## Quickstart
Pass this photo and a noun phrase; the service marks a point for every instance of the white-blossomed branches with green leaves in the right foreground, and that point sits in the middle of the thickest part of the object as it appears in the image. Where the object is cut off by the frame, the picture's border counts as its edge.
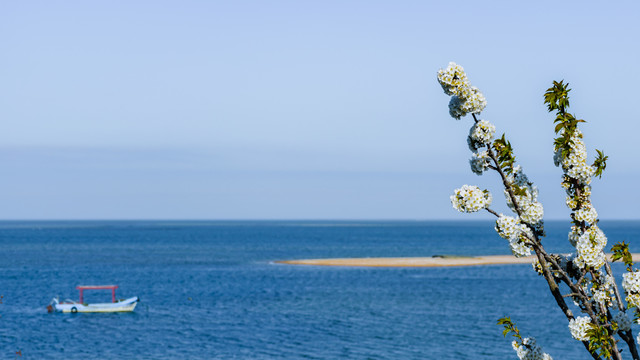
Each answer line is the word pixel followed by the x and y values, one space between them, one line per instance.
pixel 593 289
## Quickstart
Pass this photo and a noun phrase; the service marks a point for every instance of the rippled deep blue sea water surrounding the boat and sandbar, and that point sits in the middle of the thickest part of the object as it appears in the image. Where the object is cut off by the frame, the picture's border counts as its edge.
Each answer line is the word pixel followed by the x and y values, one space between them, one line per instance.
pixel 211 290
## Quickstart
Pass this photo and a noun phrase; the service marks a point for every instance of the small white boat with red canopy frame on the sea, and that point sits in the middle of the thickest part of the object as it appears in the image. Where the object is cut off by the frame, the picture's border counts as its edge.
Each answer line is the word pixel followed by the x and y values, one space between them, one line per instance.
pixel 70 306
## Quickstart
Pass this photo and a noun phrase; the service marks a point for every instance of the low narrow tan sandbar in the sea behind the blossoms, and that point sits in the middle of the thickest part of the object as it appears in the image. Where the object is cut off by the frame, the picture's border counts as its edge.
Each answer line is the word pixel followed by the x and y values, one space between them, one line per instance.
pixel 435 261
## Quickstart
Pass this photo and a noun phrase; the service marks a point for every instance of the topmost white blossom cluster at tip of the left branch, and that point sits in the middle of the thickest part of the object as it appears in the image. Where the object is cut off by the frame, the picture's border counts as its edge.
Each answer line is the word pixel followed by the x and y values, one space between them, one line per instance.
pixel 465 98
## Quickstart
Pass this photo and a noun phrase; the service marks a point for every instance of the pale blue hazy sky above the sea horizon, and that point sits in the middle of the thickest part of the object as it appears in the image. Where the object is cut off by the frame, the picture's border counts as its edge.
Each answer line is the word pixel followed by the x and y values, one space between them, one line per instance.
pixel 300 109
